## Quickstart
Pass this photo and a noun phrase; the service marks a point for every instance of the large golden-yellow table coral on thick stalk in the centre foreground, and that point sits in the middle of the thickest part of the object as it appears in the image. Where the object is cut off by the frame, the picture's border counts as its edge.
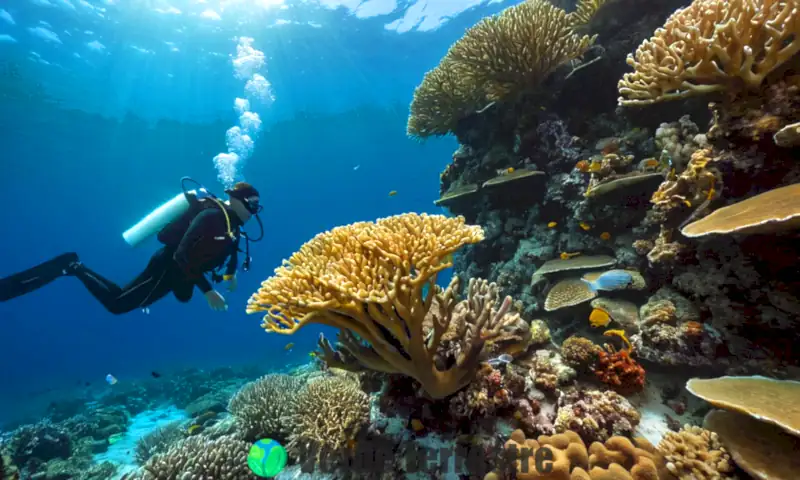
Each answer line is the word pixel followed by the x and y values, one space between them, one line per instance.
pixel 369 279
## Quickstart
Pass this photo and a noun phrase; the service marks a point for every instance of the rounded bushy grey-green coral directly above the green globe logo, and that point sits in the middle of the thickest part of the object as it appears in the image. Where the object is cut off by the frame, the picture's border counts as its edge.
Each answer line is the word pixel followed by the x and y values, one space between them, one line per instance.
pixel 263 407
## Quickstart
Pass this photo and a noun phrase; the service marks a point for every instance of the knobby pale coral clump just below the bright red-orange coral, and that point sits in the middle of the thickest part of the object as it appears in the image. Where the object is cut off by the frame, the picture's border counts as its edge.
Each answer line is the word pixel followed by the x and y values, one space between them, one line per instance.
pixel 595 415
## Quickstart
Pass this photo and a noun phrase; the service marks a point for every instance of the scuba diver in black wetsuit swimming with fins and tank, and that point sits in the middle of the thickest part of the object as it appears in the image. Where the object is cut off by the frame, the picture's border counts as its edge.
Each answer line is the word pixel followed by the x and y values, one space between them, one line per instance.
pixel 195 242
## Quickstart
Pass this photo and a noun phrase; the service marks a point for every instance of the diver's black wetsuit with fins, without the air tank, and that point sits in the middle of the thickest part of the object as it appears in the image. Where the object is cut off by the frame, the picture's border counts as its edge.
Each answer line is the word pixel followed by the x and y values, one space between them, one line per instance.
pixel 194 244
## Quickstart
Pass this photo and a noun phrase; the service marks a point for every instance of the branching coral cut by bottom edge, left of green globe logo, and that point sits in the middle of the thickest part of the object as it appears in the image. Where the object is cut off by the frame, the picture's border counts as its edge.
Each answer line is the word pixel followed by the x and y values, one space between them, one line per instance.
pixel 224 458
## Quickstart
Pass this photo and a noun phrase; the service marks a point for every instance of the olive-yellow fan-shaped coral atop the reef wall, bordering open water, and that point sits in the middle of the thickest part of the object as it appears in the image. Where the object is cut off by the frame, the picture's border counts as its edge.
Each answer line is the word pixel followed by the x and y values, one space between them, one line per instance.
pixel 498 58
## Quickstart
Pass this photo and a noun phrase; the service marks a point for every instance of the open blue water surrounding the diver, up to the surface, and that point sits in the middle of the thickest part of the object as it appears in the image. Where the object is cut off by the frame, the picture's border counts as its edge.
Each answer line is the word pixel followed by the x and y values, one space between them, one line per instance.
pixel 132 121
